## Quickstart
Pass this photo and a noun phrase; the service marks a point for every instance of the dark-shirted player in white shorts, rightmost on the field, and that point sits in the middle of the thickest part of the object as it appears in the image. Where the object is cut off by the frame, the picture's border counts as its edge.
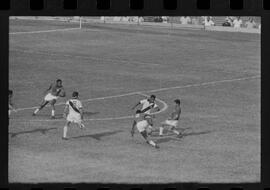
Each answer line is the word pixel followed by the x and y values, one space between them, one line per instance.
pixel 172 121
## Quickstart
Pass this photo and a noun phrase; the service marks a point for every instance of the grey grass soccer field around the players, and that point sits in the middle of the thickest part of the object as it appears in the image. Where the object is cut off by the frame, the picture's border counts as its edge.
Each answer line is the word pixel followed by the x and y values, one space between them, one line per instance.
pixel 215 74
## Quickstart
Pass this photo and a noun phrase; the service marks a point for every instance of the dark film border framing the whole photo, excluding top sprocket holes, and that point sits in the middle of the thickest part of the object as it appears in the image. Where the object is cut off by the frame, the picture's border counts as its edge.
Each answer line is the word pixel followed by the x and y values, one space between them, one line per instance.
pixel 151 8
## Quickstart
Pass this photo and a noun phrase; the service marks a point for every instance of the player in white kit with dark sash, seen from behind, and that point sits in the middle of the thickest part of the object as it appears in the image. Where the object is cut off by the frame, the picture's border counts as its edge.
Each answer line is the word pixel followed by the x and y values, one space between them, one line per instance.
pixel 73 113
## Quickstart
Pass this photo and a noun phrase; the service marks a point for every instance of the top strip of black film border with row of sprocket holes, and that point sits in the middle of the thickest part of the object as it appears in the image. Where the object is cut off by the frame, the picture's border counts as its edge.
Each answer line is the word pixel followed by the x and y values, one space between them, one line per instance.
pixel 133 7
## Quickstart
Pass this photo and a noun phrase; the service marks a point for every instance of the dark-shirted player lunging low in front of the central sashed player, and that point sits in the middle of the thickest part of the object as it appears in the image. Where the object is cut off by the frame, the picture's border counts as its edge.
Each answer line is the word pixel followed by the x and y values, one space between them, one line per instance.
pixel 142 127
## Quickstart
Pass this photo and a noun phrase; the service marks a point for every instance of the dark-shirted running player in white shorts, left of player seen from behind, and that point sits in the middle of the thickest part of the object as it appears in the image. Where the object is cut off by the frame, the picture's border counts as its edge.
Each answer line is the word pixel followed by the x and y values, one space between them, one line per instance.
pixel 55 91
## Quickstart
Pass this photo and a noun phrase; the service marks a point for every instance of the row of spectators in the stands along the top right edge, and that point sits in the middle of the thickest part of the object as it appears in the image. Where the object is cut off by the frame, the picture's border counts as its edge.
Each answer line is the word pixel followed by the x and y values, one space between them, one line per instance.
pixel 229 21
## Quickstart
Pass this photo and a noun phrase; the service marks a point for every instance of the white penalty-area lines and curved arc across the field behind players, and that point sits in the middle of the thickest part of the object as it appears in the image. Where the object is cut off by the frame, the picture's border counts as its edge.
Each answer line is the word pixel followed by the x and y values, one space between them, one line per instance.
pixel 150 91
